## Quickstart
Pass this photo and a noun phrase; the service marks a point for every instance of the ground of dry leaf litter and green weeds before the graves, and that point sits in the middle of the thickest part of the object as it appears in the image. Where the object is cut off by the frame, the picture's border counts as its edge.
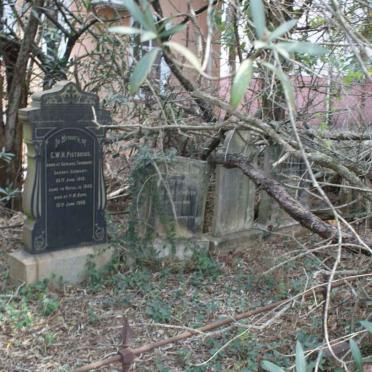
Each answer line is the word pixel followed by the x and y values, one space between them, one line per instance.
pixel 45 329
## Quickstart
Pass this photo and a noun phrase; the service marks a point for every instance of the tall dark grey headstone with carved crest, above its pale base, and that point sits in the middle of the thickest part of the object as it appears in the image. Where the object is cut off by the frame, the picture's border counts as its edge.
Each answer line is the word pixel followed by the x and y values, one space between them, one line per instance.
pixel 64 196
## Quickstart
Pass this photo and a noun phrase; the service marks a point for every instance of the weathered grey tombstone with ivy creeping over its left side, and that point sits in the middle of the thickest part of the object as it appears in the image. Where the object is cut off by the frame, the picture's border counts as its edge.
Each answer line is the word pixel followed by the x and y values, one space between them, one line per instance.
pixel 174 205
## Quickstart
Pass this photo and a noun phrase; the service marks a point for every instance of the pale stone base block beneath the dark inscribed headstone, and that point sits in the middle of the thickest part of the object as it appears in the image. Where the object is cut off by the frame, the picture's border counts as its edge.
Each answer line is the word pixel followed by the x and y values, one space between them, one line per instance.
pixel 68 264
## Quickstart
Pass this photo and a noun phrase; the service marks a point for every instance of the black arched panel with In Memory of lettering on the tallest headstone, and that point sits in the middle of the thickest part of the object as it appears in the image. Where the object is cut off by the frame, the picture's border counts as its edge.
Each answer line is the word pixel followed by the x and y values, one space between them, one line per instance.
pixel 70 178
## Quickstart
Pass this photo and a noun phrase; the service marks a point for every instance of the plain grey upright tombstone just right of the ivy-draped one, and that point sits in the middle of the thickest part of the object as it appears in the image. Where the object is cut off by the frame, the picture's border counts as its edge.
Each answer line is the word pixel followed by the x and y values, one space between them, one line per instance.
pixel 234 192
